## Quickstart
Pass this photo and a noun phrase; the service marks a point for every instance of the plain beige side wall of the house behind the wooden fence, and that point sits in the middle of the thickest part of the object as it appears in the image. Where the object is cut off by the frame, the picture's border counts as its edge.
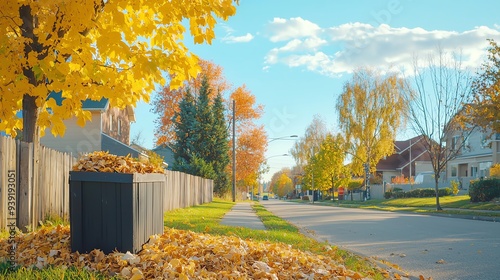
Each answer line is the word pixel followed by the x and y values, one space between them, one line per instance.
pixel 77 139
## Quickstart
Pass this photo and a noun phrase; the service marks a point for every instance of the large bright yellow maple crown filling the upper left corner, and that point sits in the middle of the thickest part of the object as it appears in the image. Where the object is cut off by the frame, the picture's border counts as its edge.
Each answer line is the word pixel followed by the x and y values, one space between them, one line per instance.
pixel 93 49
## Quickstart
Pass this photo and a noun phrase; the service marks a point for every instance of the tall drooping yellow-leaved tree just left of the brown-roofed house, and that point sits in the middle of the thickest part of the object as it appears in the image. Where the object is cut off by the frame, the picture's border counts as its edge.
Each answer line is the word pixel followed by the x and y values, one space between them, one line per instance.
pixel 371 109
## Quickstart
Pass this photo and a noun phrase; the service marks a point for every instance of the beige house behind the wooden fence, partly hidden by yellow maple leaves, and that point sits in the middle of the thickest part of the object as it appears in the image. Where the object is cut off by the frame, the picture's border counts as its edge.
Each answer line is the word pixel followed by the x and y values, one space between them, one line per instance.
pixel 109 130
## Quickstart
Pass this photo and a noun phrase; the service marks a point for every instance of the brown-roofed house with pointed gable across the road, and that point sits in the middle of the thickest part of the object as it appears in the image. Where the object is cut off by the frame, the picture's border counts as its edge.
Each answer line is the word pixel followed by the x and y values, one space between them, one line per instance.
pixel 410 158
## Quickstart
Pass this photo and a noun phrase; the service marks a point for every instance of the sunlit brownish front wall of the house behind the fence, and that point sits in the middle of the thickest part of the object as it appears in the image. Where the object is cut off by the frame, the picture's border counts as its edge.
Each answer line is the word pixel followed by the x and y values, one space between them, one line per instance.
pixel 116 123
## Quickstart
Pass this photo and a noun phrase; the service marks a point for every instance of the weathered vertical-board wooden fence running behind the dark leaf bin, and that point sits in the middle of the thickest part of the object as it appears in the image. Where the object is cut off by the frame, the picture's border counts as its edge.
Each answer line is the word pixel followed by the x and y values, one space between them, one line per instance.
pixel 35 186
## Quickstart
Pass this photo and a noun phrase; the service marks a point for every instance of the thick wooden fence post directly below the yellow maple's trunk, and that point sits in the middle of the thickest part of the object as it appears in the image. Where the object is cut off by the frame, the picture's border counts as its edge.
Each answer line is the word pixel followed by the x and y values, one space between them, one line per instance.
pixel 24 193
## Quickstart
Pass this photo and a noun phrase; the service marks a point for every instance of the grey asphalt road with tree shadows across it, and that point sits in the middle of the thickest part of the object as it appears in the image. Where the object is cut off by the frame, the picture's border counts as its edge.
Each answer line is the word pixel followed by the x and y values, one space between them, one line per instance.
pixel 432 246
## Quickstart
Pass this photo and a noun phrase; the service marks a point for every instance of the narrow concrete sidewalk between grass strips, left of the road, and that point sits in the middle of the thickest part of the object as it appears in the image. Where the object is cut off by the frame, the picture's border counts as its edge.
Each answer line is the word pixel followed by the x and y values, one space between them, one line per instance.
pixel 242 215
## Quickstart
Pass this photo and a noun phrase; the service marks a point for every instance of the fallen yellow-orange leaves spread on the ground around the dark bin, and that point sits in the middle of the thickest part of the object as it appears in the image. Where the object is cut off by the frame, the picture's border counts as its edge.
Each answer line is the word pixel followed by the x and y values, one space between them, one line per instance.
pixel 179 254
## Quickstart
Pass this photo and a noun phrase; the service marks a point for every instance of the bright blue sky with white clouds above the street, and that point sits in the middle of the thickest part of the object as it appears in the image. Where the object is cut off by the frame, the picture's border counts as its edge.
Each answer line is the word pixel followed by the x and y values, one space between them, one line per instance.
pixel 295 56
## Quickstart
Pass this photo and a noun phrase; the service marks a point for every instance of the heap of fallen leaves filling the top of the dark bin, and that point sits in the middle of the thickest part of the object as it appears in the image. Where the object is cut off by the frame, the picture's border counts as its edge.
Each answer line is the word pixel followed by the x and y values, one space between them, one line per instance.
pixel 100 161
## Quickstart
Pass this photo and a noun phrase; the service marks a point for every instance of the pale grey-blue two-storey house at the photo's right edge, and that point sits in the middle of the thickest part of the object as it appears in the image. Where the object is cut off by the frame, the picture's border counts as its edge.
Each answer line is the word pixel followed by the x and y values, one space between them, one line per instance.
pixel 476 153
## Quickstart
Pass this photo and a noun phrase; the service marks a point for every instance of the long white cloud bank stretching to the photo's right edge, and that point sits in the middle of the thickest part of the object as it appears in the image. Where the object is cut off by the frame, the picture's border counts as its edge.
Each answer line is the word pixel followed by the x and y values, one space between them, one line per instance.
pixel 344 48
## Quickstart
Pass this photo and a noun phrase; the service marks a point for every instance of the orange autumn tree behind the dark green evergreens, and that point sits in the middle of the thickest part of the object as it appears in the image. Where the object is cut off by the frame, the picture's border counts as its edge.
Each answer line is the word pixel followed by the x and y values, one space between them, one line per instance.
pixel 251 139
